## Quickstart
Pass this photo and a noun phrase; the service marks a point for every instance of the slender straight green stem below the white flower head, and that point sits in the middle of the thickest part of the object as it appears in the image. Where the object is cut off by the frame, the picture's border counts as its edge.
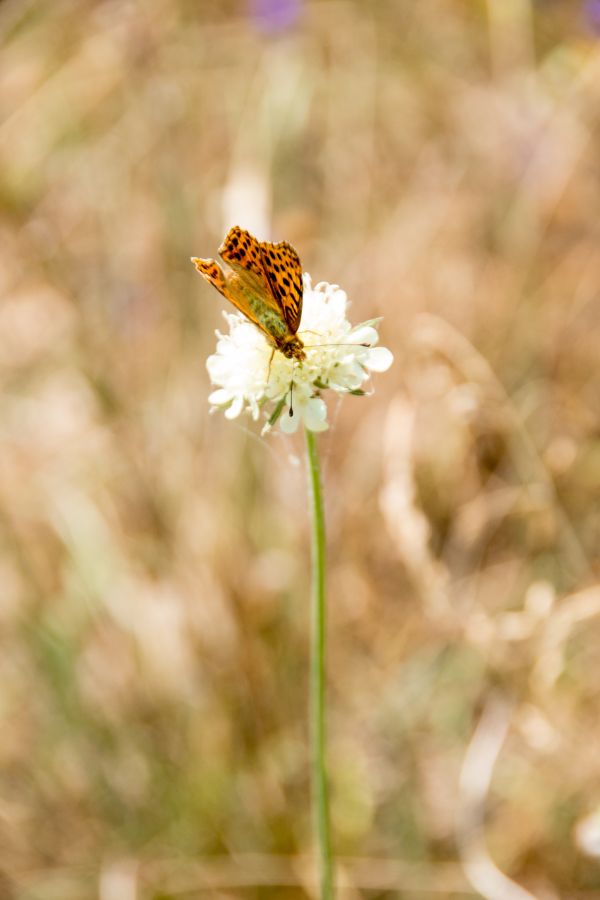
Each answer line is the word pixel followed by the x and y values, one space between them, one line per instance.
pixel 320 790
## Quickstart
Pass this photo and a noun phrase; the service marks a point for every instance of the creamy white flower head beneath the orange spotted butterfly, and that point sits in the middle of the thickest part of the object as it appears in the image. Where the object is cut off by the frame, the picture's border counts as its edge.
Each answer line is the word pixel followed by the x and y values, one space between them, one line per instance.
pixel 249 377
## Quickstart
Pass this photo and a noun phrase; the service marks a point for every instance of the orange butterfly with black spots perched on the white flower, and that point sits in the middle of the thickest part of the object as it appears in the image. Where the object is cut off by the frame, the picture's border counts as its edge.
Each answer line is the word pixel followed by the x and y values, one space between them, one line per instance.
pixel 265 284
